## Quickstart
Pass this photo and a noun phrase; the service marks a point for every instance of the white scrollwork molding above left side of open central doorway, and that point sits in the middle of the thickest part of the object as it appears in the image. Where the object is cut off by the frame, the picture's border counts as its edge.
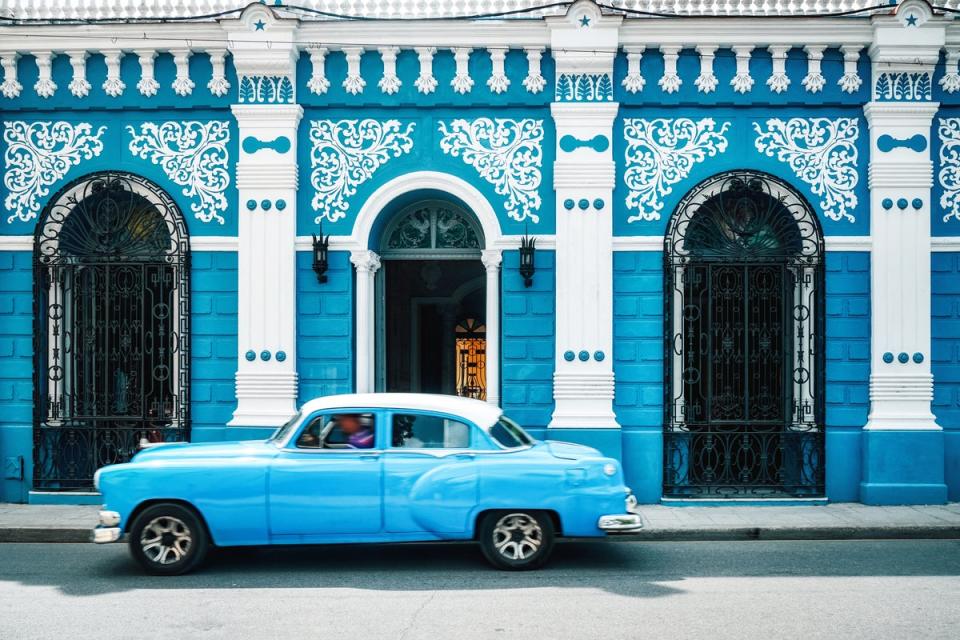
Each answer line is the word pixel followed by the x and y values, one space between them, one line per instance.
pixel 345 154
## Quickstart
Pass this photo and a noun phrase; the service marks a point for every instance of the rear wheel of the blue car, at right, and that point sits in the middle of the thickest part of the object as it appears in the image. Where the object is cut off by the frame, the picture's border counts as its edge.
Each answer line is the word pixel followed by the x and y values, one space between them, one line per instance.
pixel 516 540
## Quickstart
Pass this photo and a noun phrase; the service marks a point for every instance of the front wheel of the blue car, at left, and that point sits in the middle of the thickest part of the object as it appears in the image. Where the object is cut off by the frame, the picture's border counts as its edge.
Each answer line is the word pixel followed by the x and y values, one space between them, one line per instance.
pixel 168 539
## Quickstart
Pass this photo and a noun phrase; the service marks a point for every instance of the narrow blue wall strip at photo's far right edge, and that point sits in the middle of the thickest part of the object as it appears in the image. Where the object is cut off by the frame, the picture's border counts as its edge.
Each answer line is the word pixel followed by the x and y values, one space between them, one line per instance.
pixel 945 360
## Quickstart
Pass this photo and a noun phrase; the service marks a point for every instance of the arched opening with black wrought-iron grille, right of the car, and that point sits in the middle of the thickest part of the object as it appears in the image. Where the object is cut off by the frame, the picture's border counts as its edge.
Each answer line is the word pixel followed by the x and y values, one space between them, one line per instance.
pixel 744 333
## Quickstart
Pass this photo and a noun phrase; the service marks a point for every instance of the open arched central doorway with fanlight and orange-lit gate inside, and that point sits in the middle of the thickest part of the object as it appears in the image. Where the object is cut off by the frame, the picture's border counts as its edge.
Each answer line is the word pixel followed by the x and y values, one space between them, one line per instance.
pixel 431 331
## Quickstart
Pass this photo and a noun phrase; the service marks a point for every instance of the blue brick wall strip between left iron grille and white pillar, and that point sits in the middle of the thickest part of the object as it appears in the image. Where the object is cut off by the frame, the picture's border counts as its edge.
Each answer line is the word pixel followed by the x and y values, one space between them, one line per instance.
pixel 213 345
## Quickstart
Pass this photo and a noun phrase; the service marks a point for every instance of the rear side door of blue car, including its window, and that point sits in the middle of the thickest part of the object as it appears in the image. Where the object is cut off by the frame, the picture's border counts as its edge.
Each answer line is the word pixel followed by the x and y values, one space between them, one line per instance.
pixel 430 474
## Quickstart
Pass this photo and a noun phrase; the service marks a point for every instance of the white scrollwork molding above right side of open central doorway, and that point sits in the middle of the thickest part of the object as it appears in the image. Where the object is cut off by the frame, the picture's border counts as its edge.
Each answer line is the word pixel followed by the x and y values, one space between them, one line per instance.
pixel 506 153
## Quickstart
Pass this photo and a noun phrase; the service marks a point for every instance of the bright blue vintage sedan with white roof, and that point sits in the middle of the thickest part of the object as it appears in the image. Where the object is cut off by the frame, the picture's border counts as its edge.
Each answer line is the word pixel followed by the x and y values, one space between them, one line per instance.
pixel 366 468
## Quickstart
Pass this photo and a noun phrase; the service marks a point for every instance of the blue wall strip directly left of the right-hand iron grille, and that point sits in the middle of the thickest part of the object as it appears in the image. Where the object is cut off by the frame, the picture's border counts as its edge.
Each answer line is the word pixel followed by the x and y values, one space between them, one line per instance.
pixel 638 367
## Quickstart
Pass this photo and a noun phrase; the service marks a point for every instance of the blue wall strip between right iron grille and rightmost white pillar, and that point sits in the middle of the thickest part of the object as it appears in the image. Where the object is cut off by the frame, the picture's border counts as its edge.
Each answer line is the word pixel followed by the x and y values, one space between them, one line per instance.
pixel 848 369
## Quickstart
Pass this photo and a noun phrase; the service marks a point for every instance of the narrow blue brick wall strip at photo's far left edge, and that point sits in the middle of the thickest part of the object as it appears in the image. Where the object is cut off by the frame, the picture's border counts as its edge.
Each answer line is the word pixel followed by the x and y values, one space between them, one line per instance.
pixel 16 372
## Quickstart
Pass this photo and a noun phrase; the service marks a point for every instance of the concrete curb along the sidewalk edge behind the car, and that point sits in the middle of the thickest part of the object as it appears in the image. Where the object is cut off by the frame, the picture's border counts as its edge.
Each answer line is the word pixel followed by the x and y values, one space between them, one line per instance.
pixel 716 534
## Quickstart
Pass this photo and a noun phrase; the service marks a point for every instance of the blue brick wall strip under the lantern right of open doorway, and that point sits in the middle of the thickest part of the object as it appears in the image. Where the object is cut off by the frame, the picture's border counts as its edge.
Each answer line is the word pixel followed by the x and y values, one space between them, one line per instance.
pixel 528 328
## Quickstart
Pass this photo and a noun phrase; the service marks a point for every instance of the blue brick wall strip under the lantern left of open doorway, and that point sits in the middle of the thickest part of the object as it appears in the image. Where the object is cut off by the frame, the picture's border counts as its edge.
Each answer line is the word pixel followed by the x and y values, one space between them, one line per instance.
pixel 325 327
